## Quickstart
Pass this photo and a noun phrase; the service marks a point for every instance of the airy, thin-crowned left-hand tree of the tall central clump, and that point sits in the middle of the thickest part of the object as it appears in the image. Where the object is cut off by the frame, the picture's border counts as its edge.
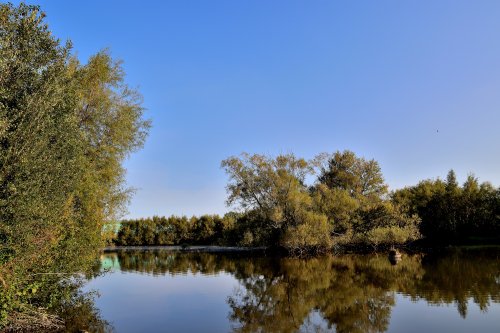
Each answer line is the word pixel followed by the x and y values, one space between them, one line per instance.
pixel 274 191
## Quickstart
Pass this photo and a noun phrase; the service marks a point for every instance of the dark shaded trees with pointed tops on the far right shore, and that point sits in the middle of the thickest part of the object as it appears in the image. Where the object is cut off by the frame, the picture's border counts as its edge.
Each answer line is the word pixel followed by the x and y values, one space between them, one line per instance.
pixel 452 213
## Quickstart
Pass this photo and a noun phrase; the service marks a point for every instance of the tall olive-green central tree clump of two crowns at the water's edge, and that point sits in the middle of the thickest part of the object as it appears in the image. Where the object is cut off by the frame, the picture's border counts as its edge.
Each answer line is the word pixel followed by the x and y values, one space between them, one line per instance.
pixel 347 202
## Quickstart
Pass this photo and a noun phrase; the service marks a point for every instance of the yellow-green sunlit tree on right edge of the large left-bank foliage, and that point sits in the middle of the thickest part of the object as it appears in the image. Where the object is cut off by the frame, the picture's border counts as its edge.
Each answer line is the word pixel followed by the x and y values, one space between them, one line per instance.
pixel 110 118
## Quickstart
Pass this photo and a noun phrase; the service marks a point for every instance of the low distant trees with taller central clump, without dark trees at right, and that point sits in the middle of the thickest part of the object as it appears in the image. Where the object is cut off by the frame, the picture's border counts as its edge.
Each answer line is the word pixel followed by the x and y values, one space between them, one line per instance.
pixel 347 205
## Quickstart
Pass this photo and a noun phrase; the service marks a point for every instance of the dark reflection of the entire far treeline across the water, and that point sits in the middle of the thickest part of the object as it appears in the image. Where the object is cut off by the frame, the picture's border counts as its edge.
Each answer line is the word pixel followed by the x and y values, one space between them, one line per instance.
pixel 352 293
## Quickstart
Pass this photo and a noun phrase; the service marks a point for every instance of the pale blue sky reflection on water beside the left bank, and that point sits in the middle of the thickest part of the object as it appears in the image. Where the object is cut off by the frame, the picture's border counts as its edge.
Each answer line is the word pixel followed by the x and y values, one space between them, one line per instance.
pixel 134 302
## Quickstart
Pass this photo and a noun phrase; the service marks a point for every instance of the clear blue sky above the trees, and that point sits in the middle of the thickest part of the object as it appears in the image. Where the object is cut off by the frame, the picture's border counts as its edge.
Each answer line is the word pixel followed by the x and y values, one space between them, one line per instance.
pixel 412 84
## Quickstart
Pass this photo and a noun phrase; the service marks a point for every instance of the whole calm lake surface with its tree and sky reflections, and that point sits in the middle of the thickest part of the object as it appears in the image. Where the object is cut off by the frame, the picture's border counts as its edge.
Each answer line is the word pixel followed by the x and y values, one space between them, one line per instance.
pixel 158 291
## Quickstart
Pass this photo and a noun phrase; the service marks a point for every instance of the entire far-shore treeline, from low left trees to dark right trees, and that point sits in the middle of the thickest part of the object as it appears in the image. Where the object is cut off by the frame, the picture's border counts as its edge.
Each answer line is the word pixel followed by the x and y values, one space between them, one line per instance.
pixel 347 205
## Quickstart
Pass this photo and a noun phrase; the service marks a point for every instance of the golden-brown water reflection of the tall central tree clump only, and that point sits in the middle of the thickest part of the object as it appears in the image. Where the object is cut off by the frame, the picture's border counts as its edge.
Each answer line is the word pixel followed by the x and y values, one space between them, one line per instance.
pixel 352 293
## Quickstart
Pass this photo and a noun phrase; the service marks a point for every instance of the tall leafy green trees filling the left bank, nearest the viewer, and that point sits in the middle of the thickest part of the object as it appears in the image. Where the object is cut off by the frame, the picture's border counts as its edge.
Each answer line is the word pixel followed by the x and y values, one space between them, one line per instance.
pixel 65 129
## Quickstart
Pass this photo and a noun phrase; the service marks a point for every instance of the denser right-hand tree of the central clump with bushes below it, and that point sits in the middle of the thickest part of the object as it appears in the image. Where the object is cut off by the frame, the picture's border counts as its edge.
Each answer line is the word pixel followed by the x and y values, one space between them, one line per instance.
pixel 351 192
